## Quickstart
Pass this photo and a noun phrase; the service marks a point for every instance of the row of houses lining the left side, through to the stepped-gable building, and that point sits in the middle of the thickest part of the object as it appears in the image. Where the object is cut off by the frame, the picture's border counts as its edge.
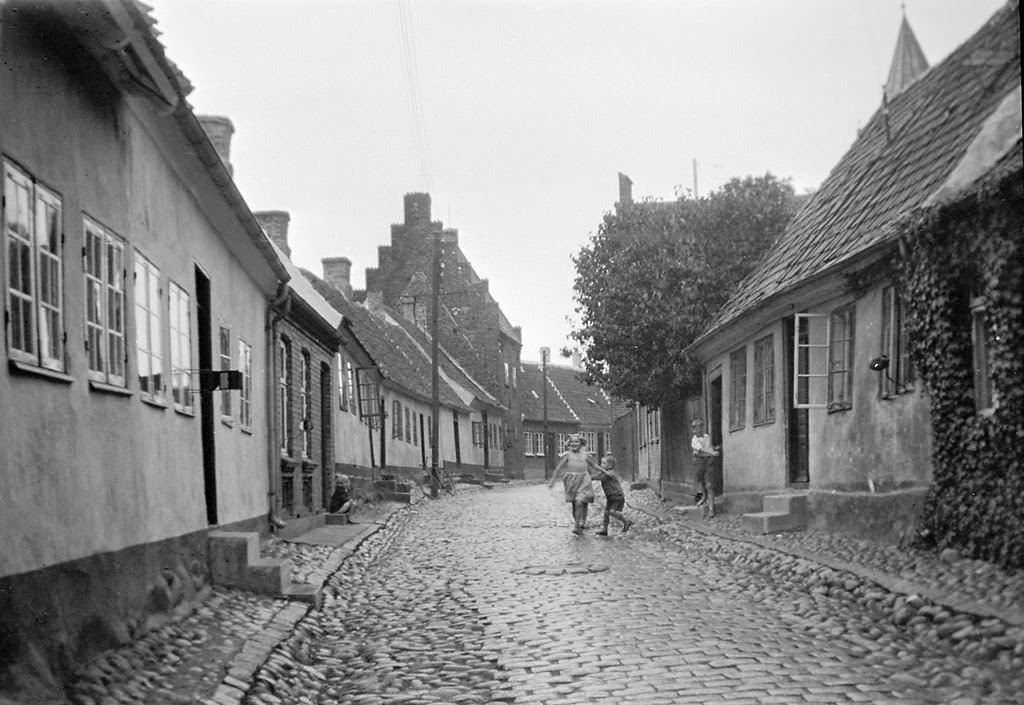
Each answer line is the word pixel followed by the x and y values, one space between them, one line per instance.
pixel 169 375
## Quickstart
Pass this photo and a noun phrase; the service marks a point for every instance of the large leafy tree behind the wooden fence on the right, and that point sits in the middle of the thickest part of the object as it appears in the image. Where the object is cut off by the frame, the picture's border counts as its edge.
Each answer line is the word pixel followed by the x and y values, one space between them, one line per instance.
pixel 652 279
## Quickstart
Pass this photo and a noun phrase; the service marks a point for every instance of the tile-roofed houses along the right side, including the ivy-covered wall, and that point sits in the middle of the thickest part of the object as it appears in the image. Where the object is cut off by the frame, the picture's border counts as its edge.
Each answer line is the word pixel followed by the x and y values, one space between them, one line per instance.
pixel 809 384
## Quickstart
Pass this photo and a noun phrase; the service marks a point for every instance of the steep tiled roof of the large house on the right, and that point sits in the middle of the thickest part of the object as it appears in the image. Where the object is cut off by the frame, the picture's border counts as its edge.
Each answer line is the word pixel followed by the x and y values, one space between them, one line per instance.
pixel 898 161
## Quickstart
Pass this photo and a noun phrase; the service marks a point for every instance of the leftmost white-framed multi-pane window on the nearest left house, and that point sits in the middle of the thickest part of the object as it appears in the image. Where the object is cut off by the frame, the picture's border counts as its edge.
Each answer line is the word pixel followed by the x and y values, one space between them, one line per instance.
pixel 35 286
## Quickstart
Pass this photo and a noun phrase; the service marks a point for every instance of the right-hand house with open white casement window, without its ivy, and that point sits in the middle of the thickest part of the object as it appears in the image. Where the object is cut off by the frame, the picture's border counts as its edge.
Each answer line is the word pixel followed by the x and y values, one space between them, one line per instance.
pixel 807 376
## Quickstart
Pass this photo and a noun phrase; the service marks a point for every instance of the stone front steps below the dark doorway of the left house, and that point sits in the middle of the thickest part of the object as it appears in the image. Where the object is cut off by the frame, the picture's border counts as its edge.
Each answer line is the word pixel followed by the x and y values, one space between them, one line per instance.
pixel 235 562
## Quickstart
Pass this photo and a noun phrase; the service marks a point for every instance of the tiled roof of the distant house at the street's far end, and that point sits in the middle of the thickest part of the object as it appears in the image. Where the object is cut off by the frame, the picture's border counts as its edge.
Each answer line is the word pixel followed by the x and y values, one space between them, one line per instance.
pixel 570 399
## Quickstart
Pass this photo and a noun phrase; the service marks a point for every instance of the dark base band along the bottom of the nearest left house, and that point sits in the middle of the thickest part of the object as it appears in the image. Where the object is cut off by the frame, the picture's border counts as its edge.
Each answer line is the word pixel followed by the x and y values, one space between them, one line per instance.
pixel 57 619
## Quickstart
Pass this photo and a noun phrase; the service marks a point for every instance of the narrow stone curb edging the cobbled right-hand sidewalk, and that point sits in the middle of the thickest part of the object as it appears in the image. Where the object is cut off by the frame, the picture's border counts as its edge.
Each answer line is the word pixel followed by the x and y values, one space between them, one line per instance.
pixel 885 580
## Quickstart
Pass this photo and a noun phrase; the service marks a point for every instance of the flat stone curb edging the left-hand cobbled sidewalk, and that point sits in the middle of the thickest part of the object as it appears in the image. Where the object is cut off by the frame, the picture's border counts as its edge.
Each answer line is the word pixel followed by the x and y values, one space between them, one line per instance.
pixel 257 650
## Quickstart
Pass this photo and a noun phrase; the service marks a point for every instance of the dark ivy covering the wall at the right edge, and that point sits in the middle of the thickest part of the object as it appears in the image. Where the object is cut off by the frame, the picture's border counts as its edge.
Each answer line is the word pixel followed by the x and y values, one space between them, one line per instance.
pixel 951 257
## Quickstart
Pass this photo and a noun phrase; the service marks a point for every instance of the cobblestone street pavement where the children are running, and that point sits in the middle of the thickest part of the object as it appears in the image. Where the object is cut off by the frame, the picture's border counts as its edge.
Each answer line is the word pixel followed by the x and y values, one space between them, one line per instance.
pixel 488 598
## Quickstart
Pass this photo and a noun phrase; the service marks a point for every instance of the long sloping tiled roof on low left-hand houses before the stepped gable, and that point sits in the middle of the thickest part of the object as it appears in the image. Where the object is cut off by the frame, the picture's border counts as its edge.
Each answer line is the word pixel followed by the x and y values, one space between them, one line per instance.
pixel 398 356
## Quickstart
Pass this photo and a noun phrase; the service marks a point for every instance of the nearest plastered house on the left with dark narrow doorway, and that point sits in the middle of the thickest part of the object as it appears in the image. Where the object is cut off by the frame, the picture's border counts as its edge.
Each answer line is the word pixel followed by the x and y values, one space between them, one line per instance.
pixel 132 271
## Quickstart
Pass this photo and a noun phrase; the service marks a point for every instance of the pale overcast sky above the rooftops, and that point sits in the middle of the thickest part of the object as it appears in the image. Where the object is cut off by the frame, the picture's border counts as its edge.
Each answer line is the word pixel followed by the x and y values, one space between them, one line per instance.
pixel 518 116
